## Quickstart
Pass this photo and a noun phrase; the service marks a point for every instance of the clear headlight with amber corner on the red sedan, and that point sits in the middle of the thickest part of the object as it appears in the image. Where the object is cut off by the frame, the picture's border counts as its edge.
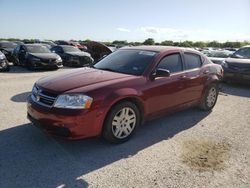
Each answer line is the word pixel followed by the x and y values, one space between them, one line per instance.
pixel 73 101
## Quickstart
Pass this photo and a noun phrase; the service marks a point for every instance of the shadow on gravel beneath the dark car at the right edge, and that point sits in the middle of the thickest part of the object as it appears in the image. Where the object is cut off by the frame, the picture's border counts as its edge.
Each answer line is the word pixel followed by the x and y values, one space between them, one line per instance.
pixel 236 89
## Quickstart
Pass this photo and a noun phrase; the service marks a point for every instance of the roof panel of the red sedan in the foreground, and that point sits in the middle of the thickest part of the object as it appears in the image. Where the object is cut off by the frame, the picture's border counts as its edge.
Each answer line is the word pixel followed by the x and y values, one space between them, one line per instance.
pixel 158 48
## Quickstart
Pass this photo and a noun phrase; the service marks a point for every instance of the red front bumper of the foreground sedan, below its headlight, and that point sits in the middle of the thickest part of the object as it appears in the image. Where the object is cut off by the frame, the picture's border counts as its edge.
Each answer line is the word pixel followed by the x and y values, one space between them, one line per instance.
pixel 67 123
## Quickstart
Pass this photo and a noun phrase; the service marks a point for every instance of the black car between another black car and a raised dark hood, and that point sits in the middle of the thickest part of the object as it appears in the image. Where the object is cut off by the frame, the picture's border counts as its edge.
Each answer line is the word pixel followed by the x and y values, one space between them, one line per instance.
pixel 72 56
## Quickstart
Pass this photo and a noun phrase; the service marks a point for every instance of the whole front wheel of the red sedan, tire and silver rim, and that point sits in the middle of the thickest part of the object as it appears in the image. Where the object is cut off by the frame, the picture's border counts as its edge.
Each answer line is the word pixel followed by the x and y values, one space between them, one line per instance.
pixel 117 128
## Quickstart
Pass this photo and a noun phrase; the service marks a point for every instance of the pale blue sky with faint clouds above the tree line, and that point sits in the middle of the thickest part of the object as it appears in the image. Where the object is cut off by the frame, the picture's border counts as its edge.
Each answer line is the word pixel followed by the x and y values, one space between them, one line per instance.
pixel 131 20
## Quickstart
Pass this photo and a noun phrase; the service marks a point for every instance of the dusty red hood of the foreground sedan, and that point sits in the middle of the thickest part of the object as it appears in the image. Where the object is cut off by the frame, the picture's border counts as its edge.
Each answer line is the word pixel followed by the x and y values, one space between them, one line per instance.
pixel 78 78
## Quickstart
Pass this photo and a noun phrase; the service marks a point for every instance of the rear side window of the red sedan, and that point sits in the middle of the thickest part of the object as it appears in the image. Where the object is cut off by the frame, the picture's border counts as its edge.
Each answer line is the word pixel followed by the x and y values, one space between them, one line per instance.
pixel 192 61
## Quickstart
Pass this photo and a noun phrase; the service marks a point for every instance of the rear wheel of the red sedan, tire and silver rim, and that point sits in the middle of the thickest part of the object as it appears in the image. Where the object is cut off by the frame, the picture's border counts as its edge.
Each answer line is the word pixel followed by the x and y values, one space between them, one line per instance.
pixel 210 98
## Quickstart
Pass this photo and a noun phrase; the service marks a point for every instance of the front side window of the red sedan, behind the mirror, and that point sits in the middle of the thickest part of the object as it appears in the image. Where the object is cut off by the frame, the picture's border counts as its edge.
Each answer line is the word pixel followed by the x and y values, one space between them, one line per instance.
pixel 172 63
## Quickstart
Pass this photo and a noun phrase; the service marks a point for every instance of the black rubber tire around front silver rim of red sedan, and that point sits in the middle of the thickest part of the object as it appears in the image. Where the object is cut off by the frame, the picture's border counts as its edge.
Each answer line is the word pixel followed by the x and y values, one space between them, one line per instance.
pixel 107 129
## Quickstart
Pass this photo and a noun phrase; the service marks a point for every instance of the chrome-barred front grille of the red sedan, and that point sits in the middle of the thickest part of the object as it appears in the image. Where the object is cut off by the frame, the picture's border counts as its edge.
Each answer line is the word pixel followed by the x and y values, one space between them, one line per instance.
pixel 42 97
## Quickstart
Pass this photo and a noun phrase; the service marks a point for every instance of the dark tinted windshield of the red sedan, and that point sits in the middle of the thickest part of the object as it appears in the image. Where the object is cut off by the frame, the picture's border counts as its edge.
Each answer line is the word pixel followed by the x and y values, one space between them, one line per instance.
pixel 132 62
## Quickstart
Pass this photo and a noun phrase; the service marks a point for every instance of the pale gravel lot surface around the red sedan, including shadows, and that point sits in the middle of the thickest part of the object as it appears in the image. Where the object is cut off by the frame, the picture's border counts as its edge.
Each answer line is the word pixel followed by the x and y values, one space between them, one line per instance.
pixel 186 149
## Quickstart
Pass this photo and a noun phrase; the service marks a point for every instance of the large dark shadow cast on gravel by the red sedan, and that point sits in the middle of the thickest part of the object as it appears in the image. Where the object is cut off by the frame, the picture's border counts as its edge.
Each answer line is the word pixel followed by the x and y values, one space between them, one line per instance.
pixel 30 158
